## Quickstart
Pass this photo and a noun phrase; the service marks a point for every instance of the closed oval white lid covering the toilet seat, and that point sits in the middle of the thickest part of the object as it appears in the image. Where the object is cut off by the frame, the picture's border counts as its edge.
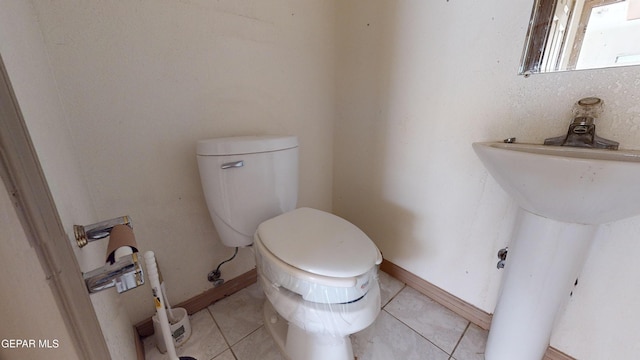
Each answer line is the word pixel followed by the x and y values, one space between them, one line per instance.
pixel 320 243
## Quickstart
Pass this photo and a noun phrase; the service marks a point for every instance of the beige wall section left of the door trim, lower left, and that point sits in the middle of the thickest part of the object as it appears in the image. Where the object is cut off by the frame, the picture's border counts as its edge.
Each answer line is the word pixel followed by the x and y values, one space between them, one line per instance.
pixel 29 310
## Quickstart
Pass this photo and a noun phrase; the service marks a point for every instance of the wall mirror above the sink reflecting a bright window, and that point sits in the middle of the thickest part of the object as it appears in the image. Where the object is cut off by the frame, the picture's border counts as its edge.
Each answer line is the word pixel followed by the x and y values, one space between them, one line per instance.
pixel 581 34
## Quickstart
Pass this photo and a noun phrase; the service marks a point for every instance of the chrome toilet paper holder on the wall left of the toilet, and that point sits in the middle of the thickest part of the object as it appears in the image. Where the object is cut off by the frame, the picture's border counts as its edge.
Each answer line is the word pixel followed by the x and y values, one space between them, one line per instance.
pixel 122 272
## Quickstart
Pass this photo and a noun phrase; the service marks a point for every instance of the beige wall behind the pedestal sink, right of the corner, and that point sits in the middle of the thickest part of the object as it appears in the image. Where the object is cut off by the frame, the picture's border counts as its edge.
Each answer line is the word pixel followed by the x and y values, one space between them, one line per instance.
pixel 418 82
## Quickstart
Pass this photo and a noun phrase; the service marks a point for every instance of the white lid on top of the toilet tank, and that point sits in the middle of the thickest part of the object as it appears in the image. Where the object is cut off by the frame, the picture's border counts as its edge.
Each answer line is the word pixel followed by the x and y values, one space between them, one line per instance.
pixel 245 145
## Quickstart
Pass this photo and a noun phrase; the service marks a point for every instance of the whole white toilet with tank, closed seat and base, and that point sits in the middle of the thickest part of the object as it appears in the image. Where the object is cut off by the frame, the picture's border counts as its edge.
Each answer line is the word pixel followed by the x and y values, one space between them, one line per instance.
pixel 317 270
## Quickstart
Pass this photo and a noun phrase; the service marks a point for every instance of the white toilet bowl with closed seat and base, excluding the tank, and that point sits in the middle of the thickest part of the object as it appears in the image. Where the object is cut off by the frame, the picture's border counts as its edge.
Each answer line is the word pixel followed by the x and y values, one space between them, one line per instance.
pixel 319 273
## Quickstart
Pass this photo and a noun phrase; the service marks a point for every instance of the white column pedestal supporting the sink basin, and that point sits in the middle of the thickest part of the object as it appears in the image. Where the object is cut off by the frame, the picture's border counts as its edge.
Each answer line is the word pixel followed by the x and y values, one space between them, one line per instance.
pixel 544 260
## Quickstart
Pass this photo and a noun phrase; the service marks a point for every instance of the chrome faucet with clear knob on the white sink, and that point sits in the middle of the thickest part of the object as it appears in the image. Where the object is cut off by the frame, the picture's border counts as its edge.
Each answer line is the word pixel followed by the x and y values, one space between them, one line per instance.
pixel 582 130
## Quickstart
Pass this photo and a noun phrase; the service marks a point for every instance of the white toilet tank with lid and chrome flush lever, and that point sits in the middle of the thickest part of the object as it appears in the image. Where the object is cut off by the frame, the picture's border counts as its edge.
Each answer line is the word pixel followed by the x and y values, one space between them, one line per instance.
pixel 247 180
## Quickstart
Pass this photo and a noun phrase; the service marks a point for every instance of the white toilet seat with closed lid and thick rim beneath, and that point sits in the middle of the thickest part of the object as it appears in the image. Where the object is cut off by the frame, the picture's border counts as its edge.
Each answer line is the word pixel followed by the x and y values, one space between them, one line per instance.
pixel 320 256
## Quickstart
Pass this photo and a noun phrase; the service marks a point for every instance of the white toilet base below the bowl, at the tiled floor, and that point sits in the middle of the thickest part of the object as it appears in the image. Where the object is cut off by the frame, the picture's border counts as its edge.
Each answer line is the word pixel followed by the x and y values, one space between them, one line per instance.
pixel 297 344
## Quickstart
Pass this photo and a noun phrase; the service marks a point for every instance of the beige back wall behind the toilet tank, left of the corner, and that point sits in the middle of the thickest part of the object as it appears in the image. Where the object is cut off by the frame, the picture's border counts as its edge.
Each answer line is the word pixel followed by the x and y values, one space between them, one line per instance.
pixel 142 81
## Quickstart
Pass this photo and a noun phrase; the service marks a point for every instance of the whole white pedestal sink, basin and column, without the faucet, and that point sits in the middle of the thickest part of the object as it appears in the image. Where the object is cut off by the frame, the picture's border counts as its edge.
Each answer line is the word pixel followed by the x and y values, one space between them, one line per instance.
pixel 564 194
